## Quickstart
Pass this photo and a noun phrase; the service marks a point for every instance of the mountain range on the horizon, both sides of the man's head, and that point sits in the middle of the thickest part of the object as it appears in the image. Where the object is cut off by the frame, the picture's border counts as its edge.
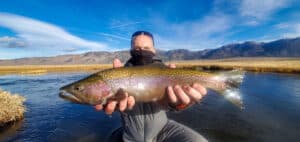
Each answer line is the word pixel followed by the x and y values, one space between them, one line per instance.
pixel 278 48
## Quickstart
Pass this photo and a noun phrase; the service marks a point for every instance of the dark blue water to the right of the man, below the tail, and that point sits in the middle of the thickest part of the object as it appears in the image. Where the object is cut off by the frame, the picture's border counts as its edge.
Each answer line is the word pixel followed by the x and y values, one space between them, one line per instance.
pixel 271 111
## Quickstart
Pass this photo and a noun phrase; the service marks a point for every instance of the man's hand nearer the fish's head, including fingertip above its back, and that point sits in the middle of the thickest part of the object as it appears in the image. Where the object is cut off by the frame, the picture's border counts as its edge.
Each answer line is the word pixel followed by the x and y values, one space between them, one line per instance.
pixel 127 103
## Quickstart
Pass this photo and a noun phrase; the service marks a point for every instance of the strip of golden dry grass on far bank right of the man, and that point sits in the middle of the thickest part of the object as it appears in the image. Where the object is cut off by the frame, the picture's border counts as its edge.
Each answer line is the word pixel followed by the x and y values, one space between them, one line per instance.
pixel 282 65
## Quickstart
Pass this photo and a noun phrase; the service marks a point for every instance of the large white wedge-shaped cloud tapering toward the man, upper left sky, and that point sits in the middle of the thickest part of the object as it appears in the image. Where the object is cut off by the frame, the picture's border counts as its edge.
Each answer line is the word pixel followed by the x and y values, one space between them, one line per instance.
pixel 41 35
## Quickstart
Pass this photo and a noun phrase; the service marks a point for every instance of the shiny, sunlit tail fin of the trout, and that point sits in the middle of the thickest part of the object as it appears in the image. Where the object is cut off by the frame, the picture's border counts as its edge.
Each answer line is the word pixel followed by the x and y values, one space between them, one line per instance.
pixel 233 80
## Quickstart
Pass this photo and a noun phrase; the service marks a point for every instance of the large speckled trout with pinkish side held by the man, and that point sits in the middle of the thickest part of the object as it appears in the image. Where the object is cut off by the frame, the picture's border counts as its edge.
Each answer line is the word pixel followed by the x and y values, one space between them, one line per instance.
pixel 148 84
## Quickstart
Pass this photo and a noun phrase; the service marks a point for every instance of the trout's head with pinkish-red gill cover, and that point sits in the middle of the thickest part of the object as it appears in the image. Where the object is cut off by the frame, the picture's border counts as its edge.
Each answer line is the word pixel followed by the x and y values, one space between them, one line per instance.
pixel 86 91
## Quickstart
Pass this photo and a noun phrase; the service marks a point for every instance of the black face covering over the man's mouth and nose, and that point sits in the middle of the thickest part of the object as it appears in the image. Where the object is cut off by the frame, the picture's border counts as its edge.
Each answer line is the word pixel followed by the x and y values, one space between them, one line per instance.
pixel 142 57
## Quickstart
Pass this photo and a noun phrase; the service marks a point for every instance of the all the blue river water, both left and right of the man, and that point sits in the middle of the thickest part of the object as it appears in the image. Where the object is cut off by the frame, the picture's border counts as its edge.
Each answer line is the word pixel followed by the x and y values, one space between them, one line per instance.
pixel 271 113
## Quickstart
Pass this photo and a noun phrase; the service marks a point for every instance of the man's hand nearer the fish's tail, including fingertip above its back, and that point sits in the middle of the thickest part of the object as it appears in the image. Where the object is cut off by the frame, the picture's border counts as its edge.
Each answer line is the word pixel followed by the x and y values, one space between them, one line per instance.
pixel 186 95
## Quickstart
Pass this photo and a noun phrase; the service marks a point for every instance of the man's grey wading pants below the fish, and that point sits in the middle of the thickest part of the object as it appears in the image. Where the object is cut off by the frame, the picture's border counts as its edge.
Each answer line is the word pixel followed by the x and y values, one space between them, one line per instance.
pixel 148 122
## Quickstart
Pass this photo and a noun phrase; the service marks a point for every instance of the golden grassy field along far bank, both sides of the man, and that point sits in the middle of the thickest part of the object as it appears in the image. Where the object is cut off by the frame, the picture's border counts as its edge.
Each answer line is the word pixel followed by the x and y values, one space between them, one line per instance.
pixel 282 65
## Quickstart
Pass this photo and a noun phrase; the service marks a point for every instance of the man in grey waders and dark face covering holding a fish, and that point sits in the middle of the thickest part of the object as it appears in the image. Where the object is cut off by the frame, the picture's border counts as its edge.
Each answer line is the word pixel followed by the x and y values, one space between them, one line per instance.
pixel 148 122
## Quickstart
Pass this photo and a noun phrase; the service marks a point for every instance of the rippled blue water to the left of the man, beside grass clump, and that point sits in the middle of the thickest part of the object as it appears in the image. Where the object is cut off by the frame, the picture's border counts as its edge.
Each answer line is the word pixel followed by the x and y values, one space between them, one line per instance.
pixel 49 118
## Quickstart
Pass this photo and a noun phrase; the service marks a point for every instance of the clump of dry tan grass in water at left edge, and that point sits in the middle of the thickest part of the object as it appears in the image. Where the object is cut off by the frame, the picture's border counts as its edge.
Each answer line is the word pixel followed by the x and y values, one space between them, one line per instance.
pixel 11 107
